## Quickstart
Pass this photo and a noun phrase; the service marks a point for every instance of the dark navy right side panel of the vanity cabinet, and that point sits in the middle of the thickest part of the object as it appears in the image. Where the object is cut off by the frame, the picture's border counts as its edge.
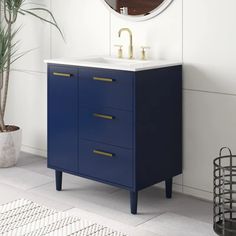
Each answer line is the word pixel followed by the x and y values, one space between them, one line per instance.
pixel 158 123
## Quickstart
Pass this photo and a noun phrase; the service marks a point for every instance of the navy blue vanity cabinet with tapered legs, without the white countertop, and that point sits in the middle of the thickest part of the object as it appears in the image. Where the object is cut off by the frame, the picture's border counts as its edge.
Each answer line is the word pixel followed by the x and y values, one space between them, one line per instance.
pixel 117 127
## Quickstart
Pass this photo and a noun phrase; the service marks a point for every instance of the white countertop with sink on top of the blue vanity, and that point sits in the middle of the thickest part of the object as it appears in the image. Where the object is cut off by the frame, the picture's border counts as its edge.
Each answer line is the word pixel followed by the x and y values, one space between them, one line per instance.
pixel 114 63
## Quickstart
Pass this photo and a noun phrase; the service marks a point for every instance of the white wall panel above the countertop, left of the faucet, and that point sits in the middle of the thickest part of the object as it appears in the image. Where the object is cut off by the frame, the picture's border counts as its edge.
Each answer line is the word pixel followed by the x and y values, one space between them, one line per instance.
pixel 85 25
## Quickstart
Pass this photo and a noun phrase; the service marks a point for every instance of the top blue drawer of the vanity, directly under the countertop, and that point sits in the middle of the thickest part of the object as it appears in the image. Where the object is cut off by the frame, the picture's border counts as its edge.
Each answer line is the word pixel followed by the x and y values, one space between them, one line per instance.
pixel 108 88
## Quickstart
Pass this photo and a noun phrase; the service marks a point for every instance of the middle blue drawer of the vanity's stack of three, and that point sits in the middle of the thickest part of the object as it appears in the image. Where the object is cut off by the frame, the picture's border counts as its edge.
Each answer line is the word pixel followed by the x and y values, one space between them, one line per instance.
pixel 106 125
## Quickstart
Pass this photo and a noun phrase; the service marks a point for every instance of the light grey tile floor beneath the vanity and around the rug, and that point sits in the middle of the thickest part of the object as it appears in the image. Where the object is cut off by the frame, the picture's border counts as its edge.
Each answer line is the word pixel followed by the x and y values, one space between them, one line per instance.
pixel 158 216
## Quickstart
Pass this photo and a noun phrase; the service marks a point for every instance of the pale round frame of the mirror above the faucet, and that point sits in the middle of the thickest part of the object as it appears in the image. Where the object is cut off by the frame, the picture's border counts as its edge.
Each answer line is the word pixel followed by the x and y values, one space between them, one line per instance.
pixel 152 14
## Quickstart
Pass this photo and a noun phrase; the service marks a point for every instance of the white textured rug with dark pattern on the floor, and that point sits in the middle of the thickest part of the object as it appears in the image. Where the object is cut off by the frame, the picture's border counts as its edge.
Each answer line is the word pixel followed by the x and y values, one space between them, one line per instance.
pixel 26 218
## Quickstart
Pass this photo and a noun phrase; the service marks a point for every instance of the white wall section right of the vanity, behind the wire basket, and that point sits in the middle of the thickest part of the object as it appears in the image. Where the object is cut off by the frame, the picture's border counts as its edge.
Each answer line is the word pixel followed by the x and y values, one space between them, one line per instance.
pixel 209 55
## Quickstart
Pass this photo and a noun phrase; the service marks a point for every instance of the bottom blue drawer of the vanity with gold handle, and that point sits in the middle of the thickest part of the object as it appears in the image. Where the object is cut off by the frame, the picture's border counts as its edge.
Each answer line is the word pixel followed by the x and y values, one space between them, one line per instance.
pixel 105 162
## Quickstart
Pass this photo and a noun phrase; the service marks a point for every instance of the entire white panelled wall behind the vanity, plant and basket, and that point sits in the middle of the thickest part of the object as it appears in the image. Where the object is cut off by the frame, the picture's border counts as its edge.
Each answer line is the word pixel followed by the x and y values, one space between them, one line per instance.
pixel 201 33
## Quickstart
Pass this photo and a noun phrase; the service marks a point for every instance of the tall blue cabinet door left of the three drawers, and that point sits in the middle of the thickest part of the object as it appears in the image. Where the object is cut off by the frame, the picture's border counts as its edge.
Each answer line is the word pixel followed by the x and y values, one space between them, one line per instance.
pixel 62 118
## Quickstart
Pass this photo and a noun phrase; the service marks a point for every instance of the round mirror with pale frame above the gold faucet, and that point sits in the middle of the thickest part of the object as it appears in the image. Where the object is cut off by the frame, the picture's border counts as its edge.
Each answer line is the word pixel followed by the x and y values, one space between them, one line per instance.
pixel 137 9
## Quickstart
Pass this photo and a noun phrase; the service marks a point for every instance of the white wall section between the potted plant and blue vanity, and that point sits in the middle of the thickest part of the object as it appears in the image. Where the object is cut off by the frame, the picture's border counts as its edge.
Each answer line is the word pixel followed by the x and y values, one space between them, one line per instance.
pixel 27 101
